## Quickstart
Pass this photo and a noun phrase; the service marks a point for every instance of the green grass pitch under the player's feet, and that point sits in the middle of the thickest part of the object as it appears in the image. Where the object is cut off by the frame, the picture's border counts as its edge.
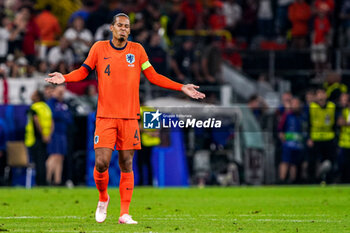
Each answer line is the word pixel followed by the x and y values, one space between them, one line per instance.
pixel 234 209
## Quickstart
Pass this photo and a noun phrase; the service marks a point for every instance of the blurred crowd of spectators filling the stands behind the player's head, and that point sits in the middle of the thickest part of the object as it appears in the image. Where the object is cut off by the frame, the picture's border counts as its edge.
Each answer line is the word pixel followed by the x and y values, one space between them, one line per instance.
pixel 182 37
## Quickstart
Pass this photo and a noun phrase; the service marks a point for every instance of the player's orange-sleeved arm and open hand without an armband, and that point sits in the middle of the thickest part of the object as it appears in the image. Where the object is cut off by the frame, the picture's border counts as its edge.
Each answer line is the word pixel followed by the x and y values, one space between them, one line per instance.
pixel 74 76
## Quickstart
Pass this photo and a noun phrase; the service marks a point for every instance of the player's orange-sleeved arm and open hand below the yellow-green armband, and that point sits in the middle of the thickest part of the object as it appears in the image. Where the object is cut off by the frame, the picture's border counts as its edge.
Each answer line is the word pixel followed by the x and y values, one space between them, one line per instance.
pixel 162 81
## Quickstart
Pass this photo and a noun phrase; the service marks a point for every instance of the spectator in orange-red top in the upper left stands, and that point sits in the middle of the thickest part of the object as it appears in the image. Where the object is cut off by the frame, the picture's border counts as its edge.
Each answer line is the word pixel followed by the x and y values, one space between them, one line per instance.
pixel 48 25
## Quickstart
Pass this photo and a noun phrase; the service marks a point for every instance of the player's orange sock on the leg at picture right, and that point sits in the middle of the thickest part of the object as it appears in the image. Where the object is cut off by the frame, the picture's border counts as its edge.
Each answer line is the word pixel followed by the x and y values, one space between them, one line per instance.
pixel 126 187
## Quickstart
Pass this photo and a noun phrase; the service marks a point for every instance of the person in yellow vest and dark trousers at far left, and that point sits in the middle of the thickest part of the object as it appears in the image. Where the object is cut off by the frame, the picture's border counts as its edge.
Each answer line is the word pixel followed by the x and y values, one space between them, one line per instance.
pixel 38 134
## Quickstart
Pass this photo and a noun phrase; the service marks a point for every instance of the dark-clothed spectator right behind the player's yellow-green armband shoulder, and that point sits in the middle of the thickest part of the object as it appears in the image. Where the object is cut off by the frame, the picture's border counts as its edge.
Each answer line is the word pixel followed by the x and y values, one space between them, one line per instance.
pixel 157 55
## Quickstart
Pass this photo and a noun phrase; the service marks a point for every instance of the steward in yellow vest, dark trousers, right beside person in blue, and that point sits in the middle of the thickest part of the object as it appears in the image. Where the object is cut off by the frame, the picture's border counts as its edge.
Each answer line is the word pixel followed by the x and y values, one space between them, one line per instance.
pixel 322 121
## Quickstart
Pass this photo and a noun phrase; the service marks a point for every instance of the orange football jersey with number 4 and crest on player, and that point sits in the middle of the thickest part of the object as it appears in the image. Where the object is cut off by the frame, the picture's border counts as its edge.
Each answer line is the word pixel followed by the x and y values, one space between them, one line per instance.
pixel 118 71
